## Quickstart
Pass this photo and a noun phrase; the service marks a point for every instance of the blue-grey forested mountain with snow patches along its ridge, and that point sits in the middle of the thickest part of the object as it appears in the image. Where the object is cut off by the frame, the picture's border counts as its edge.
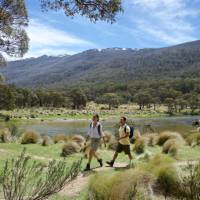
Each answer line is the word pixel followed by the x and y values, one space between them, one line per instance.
pixel 111 64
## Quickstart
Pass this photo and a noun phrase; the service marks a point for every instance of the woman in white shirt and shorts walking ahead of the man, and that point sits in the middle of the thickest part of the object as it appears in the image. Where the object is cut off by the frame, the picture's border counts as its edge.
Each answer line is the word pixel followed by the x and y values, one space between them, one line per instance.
pixel 95 134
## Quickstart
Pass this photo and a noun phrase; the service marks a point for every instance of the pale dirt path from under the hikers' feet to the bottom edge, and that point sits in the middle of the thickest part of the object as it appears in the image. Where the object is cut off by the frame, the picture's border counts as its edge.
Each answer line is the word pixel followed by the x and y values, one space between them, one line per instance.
pixel 73 189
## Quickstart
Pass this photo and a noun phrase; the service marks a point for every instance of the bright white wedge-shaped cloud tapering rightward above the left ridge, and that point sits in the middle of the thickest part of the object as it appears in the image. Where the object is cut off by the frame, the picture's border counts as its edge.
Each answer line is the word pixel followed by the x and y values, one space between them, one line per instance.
pixel 45 39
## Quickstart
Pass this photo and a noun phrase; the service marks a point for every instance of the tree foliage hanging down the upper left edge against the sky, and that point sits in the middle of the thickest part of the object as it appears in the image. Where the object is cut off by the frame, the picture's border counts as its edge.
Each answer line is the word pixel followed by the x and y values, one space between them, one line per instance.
pixel 13 20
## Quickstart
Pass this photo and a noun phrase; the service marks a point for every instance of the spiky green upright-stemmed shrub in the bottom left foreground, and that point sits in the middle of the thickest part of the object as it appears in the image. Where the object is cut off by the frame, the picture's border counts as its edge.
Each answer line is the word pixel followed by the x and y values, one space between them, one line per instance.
pixel 24 179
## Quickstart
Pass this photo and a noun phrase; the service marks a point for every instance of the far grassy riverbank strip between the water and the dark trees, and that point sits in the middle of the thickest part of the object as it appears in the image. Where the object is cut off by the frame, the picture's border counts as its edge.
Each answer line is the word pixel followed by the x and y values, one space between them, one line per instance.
pixel 130 111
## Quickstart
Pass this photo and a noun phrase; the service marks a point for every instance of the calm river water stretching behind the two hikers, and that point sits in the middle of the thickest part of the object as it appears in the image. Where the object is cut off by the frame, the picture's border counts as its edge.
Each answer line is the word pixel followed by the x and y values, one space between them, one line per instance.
pixel 70 127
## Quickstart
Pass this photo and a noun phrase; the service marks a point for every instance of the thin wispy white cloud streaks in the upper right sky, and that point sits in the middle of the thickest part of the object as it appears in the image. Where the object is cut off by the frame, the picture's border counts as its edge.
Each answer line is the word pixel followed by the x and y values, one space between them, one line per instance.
pixel 166 21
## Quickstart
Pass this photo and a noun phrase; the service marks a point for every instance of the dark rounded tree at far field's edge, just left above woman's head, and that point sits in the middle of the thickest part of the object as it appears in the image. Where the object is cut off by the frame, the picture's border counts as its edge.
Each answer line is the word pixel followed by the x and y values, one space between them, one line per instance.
pixel 78 98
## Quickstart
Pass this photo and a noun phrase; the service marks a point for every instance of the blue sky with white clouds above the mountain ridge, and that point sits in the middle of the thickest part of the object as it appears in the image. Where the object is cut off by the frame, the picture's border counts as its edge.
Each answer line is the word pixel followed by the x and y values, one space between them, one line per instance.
pixel 143 24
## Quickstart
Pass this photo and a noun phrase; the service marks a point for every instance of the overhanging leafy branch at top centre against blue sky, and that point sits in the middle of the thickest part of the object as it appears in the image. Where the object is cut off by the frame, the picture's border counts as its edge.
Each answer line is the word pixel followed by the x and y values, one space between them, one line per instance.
pixel 105 10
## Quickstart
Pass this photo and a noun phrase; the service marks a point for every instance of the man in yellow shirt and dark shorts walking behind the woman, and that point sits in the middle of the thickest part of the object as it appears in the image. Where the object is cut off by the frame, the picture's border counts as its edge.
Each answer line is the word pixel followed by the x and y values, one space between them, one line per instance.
pixel 123 142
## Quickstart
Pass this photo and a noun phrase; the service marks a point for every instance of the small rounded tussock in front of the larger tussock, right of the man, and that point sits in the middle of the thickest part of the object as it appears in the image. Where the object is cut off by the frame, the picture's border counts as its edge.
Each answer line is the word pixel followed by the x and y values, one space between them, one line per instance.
pixel 171 147
